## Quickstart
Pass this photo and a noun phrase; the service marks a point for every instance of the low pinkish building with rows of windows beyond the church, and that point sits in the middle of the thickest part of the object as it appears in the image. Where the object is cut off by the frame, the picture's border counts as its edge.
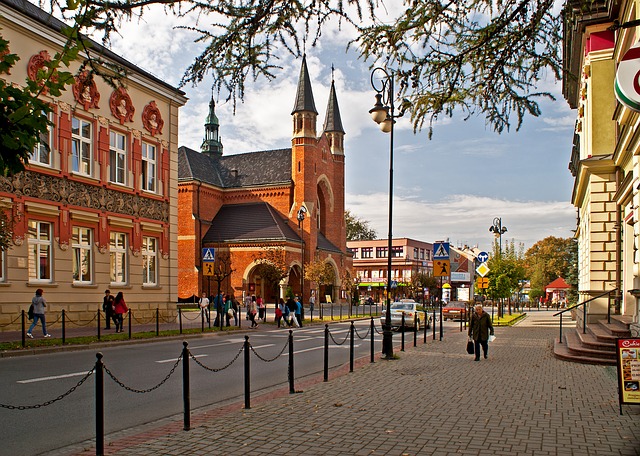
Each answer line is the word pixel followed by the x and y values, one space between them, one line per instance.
pixel 409 257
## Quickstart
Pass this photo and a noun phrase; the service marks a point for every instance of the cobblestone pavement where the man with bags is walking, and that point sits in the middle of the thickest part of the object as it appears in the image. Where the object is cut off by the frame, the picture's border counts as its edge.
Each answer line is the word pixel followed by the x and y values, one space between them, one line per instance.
pixel 433 400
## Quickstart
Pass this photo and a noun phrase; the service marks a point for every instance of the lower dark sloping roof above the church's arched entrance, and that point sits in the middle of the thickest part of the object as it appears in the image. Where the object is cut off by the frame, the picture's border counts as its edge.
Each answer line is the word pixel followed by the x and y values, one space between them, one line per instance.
pixel 249 222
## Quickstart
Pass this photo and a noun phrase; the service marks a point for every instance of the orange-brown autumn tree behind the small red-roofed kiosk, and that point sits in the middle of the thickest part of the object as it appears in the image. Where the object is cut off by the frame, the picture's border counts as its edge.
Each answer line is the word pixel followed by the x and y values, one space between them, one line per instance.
pixel 549 259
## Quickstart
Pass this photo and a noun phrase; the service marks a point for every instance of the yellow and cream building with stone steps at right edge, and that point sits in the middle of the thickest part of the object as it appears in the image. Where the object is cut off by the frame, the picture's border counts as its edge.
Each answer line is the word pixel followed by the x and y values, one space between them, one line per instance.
pixel 604 159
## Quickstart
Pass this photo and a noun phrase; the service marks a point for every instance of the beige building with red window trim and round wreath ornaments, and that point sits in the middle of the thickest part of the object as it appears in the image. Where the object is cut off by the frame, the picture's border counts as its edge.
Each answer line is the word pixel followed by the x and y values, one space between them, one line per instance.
pixel 96 207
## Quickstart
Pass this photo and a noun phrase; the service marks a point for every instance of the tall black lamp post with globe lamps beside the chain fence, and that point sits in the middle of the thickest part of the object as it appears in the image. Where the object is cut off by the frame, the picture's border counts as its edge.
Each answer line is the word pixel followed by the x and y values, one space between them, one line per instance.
pixel 383 113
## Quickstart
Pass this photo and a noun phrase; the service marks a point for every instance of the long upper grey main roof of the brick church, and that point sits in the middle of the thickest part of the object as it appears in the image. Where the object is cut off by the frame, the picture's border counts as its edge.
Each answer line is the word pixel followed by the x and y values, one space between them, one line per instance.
pixel 268 167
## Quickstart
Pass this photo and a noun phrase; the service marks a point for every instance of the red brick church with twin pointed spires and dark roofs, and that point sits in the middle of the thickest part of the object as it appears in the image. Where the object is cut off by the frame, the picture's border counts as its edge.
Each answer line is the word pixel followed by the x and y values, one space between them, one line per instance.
pixel 242 204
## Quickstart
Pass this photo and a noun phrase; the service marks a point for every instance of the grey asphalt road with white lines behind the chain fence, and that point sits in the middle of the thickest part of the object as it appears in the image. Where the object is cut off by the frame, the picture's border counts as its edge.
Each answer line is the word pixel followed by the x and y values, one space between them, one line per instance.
pixel 59 412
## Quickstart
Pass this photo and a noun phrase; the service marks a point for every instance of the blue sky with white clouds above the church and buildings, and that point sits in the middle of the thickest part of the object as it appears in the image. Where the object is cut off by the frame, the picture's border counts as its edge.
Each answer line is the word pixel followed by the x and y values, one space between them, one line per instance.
pixel 451 187
